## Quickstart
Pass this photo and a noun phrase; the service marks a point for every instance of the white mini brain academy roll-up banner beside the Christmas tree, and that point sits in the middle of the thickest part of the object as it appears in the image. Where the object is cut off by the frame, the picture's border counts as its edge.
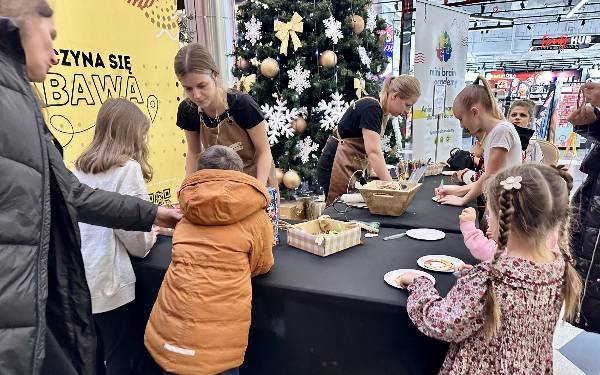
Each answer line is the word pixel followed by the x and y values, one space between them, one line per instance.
pixel 441 45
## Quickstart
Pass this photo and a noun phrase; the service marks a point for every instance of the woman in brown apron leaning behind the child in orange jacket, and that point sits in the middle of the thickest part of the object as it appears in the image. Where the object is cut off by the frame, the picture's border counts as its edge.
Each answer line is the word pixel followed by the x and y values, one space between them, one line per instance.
pixel 212 115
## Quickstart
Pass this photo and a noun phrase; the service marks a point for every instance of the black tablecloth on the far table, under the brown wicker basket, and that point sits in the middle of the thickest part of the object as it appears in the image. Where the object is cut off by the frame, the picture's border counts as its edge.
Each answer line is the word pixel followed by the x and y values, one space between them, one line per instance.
pixel 423 212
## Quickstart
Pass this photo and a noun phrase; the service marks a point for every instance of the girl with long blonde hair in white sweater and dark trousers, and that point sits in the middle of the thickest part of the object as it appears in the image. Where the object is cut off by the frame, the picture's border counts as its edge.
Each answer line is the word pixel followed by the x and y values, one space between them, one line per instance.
pixel 116 160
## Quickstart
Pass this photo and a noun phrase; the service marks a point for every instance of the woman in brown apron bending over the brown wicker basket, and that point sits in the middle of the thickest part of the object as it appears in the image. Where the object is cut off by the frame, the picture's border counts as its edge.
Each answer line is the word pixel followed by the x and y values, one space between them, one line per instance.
pixel 356 141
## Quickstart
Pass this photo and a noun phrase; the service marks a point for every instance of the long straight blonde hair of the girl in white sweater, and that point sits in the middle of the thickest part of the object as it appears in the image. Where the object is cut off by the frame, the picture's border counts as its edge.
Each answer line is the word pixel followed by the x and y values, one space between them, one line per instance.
pixel 120 135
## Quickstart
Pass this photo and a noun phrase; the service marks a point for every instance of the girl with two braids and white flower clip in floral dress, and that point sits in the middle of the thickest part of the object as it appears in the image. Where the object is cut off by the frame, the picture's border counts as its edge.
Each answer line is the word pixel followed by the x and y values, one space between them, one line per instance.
pixel 500 316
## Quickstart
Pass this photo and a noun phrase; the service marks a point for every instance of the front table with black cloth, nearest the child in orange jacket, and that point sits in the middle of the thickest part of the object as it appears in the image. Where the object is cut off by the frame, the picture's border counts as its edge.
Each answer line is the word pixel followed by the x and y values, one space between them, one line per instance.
pixel 332 315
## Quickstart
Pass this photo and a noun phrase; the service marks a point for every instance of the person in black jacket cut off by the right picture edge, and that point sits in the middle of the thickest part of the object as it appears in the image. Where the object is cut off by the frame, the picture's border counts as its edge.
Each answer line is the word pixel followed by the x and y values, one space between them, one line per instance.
pixel 585 231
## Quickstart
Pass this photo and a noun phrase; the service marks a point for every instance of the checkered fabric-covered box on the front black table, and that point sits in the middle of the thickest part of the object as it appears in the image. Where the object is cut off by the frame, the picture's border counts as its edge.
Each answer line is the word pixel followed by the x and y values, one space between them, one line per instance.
pixel 307 236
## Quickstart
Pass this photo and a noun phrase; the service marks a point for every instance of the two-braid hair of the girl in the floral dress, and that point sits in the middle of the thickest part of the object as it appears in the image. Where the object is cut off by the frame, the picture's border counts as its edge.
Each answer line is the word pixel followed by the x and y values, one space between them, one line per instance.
pixel 540 206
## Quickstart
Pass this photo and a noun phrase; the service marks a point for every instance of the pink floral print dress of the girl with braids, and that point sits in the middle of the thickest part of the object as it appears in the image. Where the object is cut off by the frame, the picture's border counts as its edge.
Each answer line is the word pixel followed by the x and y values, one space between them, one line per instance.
pixel 530 298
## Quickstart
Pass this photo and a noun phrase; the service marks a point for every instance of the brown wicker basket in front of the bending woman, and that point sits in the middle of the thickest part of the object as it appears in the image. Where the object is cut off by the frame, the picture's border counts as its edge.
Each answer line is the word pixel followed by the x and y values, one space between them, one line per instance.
pixel 389 202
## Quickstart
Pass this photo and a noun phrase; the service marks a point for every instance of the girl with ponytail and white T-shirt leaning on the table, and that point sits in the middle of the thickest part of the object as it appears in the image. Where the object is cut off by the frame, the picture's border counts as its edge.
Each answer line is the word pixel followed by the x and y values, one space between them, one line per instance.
pixel 476 109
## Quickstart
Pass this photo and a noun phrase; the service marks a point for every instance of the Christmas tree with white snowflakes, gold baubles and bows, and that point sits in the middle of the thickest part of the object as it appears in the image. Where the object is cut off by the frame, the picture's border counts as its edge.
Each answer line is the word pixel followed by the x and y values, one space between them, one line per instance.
pixel 304 62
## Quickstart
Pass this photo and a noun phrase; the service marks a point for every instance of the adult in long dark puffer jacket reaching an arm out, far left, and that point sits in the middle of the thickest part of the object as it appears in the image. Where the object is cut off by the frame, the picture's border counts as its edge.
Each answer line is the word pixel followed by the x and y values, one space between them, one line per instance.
pixel 45 308
